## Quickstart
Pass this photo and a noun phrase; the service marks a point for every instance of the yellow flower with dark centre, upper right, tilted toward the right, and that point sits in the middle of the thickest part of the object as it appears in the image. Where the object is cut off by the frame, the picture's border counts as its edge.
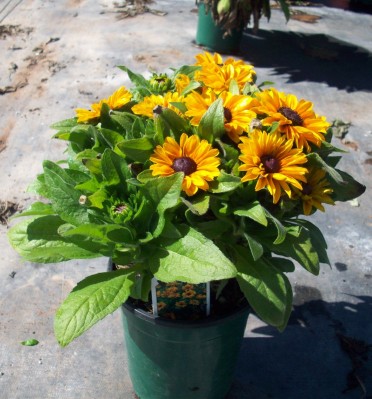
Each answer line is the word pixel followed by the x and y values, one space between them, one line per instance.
pixel 296 118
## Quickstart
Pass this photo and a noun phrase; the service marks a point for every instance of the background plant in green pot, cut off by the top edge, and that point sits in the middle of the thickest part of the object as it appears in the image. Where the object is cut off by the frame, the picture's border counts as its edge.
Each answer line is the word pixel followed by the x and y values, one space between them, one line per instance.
pixel 221 22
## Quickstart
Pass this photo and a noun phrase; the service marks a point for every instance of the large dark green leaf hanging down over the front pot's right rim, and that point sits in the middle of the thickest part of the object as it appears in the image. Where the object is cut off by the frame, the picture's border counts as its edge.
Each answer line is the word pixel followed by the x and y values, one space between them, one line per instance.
pixel 266 288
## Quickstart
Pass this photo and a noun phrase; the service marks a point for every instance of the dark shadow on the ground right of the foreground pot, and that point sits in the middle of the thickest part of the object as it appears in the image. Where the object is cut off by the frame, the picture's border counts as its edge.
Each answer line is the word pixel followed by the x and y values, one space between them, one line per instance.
pixel 321 353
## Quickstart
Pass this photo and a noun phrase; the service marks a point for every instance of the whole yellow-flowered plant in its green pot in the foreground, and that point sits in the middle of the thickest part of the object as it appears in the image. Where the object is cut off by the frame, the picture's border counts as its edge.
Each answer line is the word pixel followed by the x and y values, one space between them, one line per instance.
pixel 198 179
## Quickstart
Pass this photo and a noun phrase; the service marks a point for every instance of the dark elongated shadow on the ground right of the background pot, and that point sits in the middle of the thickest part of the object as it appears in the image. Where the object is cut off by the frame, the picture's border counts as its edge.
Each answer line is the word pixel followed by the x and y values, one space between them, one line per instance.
pixel 310 57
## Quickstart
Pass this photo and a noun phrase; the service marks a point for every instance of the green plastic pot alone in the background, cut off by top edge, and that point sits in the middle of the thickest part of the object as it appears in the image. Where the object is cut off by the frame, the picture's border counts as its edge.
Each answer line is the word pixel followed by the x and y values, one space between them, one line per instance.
pixel 210 35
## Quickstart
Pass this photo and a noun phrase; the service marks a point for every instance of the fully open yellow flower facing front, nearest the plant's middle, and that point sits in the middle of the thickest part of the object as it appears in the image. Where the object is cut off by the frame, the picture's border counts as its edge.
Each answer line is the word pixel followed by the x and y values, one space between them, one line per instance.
pixel 194 157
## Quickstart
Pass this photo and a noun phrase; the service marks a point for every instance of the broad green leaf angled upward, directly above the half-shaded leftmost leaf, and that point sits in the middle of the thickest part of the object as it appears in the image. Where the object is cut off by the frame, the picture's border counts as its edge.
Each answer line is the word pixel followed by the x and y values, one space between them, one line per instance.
pixel 63 195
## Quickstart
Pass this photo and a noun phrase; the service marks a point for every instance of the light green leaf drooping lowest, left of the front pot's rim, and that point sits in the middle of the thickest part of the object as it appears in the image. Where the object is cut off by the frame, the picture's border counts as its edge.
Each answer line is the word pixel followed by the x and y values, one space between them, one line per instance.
pixel 90 301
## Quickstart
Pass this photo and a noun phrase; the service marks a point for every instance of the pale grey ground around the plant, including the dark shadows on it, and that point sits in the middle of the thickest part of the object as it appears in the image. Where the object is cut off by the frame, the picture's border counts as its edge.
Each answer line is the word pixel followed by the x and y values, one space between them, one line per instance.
pixel 59 55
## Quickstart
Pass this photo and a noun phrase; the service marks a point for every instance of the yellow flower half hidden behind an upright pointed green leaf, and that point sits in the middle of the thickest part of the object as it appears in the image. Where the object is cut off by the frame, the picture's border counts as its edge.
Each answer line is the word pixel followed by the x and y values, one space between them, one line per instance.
pixel 237 114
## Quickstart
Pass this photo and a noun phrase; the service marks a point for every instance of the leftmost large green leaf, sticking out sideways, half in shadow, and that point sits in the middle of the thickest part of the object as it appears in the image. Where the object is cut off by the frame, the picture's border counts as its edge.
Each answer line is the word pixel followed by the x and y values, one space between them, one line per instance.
pixel 37 240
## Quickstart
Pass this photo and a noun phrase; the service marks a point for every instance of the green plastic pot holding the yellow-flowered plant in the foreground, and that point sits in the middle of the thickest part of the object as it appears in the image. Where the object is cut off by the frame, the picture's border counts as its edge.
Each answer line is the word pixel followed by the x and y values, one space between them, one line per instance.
pixel 169 359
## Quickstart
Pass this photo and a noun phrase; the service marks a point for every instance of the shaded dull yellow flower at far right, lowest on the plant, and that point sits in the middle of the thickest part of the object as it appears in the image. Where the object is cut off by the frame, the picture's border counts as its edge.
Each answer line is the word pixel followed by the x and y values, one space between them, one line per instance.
pixel 315 191
